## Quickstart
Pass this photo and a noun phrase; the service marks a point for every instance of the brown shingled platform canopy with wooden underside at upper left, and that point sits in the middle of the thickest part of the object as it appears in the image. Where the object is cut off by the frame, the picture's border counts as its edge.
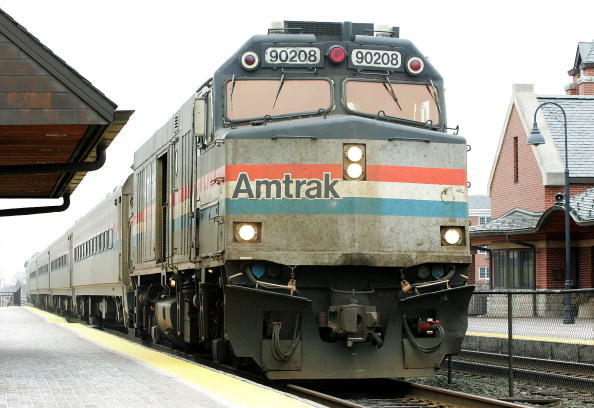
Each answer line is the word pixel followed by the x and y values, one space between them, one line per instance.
pixel 51 119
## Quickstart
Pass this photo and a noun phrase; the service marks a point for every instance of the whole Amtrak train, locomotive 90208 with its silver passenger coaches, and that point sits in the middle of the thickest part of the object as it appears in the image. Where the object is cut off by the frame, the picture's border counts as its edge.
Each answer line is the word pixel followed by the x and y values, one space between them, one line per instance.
pixel 304 212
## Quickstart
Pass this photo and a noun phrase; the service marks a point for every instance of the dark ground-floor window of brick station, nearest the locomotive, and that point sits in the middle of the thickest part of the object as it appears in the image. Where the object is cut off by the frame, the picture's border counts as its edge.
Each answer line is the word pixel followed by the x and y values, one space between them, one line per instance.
pixel 513 268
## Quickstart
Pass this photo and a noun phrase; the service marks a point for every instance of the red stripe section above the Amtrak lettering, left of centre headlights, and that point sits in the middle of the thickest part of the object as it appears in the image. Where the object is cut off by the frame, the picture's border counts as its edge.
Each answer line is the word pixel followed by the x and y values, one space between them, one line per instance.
pixel 277 171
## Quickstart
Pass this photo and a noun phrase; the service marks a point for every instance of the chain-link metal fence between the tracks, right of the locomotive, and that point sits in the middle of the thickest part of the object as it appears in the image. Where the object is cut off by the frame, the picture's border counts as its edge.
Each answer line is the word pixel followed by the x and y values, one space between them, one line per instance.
pixel 531 339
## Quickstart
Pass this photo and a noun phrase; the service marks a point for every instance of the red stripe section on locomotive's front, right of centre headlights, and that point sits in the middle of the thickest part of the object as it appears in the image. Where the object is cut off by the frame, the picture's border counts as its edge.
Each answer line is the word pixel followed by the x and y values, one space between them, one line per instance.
pixel 420 175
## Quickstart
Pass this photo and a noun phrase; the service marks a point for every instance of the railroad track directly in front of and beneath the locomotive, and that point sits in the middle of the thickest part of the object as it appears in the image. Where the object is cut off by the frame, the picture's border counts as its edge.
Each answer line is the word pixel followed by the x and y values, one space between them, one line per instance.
pixel 389 393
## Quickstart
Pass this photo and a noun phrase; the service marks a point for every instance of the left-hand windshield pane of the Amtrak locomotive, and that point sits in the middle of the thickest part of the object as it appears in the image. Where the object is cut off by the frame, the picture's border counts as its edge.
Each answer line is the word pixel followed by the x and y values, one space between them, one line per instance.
pixel 257 98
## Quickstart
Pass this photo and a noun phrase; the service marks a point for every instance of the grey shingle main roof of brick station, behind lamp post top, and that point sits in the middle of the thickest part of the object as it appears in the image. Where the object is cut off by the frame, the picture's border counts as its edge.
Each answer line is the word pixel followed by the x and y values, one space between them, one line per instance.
pixel 580 131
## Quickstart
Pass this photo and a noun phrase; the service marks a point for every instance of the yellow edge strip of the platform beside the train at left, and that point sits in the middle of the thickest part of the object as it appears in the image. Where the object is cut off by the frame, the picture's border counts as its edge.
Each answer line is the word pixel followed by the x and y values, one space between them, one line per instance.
pixel 232 390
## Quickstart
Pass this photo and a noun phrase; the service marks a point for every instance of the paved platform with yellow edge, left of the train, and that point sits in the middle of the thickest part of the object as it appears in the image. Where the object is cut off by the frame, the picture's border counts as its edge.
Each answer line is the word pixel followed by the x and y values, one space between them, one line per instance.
pixel 47 362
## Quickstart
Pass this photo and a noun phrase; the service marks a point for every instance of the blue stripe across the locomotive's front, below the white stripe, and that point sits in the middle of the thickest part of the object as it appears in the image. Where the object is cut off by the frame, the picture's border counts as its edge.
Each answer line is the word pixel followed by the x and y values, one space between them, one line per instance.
pixel 350 205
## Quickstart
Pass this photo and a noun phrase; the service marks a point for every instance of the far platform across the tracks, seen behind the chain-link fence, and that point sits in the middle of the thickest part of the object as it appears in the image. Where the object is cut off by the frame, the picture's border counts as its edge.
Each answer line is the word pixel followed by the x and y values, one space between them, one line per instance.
pixel 537 337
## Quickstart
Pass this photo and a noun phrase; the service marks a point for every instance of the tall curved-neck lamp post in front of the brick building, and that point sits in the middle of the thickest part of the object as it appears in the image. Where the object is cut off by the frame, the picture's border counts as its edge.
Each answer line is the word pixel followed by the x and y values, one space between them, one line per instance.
pixel 535 139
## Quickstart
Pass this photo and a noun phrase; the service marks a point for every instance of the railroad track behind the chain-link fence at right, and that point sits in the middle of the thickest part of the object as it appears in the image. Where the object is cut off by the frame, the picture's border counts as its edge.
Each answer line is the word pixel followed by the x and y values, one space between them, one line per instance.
pixel 571 375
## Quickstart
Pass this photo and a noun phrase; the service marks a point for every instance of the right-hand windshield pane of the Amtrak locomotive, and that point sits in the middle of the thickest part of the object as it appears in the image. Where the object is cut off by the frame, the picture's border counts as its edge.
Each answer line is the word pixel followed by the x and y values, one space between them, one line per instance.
pixel 415 102
